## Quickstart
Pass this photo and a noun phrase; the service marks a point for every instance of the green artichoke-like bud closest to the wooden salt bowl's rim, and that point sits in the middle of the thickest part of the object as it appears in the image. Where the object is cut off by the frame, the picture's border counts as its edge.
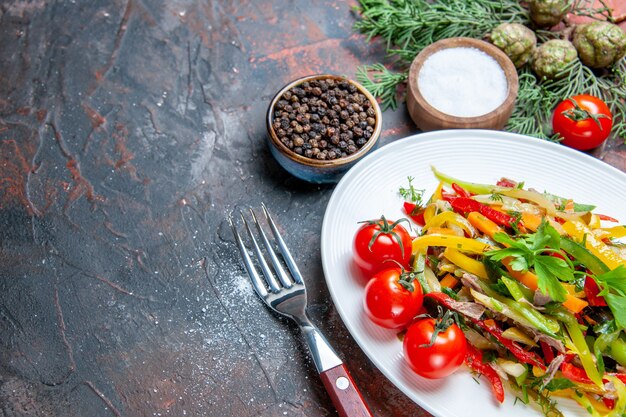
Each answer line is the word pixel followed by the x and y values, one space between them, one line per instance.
pixel 516 41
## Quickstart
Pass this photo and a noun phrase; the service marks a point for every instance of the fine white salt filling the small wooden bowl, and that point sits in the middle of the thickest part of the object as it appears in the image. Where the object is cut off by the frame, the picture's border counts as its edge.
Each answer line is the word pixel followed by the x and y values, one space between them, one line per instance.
pixel 463 82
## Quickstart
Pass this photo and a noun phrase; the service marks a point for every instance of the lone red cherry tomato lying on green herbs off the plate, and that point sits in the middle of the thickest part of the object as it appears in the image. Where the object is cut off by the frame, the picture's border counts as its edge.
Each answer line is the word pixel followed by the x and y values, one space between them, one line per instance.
pixel 583 121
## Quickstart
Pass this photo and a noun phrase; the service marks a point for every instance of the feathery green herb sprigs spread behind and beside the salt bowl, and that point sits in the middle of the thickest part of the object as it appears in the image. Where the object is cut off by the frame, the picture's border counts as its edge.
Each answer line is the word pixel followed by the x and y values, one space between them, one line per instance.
pixel 408 26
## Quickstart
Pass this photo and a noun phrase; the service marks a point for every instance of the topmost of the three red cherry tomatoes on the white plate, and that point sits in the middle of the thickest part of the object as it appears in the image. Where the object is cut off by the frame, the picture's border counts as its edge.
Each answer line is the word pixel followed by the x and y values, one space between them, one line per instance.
pixel 379 241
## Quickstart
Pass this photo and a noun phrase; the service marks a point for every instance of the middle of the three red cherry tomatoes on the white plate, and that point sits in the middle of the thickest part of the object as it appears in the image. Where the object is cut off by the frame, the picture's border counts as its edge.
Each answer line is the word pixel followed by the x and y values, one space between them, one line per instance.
pixel 388 302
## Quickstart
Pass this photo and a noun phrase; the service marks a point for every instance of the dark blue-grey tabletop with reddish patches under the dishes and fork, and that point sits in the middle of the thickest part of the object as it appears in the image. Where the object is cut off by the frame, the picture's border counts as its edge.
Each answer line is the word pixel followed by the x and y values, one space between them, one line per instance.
pixel 128 131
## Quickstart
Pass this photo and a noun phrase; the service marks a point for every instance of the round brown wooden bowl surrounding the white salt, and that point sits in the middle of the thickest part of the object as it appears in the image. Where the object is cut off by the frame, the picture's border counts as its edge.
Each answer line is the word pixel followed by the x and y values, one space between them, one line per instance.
pixel 427 117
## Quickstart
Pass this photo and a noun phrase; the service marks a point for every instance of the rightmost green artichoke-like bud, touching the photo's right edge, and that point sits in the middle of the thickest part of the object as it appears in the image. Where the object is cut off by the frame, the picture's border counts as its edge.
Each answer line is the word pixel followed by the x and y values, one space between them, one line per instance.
pixel 599 44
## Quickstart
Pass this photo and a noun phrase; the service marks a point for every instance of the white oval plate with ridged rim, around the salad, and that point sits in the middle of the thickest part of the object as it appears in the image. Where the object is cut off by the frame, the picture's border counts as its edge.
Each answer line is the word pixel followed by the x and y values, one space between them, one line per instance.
pixel 370 189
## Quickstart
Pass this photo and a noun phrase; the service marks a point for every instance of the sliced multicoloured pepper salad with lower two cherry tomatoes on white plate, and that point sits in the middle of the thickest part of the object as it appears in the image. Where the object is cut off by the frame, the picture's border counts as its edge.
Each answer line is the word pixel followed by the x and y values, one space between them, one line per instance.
pixel 536 282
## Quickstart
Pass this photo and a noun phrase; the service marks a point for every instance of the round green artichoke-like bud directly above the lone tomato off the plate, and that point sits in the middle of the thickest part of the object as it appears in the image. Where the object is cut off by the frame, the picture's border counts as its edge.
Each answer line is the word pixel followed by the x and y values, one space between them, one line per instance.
pixel 551 58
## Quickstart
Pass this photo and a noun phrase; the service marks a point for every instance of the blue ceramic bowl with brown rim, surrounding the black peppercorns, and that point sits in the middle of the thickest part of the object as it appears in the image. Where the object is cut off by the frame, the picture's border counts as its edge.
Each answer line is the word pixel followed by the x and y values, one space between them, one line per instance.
pixel 314 170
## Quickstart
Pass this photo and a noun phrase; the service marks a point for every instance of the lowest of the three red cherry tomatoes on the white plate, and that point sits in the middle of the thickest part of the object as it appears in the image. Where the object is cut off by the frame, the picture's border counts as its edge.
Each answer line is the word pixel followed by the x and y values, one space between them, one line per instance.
pixel 441 358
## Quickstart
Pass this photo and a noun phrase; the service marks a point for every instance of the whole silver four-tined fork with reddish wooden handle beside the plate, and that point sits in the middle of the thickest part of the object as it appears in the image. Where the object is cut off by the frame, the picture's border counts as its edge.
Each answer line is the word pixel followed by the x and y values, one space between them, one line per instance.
pixel 287 296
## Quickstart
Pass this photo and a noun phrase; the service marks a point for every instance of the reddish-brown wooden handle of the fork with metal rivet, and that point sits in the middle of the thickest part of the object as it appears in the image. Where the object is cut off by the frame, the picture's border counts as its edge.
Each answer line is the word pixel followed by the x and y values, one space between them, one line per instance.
pixel 343 392
